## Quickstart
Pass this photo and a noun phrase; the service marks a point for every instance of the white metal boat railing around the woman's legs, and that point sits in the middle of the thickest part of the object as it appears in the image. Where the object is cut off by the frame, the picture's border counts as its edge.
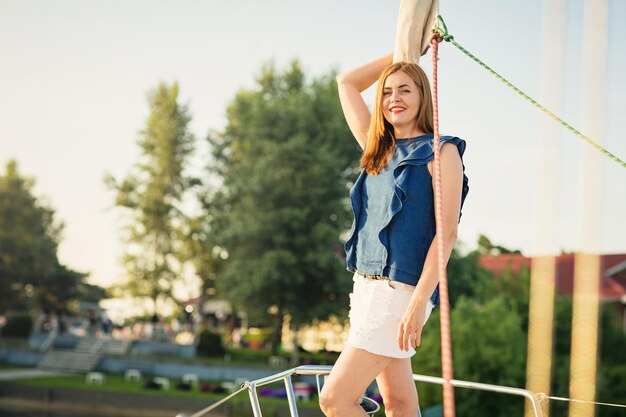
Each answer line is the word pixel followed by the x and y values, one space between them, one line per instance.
pixel 323 370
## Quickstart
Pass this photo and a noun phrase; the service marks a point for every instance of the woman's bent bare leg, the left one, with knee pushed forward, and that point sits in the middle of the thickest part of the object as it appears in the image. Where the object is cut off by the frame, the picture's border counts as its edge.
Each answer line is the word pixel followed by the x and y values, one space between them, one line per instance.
pixel 354 370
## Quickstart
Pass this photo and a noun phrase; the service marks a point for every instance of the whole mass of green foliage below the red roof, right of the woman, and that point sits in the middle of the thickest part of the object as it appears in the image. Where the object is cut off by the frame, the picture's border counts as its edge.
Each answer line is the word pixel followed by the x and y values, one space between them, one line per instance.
pixel 488 348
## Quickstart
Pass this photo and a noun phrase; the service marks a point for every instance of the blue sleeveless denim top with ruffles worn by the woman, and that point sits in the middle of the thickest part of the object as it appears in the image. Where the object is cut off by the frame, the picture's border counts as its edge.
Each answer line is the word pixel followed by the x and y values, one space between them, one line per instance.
pixel 396 245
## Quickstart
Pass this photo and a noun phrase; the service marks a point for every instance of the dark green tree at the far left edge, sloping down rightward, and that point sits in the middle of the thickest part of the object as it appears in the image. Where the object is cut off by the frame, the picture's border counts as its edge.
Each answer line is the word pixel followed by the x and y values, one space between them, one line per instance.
pixel 30 272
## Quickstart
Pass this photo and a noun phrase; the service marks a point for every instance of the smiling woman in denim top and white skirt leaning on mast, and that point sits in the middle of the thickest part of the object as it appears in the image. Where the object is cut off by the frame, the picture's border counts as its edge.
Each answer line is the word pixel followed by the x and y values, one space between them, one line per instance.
pixel 392 249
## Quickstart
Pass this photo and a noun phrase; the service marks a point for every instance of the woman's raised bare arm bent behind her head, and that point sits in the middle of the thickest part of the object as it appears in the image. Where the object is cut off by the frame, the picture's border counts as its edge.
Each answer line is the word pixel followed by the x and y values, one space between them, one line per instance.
pixel 351 84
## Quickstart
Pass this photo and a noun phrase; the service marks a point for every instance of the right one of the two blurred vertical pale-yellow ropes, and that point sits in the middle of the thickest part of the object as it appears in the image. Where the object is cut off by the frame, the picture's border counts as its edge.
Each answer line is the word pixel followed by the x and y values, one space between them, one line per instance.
pixel 587 268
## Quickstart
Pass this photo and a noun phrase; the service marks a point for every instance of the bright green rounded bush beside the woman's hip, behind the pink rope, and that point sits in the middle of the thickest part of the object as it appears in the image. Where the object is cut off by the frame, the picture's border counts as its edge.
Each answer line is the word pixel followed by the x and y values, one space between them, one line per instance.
pixel 482 352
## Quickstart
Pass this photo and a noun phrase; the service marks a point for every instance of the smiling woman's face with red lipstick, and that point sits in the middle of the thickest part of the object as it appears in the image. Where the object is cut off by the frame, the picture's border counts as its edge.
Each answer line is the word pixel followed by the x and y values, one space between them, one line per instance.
pixel 401 99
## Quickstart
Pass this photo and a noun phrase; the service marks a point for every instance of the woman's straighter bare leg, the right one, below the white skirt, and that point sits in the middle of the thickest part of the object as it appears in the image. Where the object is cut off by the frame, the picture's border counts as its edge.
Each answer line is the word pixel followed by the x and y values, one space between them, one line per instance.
pixel 397 388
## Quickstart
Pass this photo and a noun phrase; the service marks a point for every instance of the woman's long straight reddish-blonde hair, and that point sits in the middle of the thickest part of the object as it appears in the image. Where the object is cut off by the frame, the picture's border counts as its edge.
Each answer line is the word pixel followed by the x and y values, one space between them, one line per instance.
pixel 380 136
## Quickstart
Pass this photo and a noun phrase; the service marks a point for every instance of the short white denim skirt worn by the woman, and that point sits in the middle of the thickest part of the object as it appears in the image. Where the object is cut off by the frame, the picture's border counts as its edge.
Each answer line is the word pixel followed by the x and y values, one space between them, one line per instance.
pixel 375 312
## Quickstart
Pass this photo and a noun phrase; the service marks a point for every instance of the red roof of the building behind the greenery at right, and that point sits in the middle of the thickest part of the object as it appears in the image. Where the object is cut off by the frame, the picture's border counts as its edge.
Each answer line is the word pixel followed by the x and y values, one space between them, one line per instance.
pixel 612 267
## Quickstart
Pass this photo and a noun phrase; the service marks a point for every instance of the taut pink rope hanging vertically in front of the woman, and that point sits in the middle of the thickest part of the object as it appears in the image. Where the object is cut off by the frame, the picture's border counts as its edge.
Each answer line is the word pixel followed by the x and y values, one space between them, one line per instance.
pixel 446 340
